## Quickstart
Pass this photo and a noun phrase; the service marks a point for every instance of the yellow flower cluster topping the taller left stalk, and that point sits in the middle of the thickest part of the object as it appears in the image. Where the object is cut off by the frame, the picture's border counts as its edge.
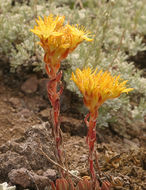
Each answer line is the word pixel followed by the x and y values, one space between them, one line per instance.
pixel 58 39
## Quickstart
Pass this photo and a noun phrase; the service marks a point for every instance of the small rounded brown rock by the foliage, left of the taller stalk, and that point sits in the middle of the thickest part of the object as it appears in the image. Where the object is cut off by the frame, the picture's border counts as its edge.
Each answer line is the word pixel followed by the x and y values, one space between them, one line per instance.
pixel 30 85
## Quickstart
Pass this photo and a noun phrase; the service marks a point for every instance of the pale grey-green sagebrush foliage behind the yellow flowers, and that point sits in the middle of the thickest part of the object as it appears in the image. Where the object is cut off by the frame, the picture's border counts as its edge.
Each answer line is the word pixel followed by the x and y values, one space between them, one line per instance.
pixel 118 28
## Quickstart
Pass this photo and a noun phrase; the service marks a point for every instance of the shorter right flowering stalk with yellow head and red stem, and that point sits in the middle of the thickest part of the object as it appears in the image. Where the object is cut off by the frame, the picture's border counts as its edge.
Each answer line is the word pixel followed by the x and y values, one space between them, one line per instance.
pixel 96 89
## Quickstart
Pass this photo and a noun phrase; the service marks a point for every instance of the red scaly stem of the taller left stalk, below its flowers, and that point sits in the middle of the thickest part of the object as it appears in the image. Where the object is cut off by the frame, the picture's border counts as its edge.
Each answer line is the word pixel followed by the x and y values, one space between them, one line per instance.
pixel 54 97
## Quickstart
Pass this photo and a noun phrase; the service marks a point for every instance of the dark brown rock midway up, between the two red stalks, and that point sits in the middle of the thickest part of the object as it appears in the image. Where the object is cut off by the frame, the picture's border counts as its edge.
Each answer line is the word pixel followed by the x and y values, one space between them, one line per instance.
pixel 73 126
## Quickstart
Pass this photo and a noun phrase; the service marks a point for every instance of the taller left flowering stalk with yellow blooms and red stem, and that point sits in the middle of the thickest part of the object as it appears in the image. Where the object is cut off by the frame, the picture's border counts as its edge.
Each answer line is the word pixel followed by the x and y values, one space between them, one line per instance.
pixel 57 40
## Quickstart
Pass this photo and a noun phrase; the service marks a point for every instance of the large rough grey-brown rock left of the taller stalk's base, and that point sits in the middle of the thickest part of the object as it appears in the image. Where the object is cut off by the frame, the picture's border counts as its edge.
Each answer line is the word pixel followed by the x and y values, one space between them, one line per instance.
pixel 24 152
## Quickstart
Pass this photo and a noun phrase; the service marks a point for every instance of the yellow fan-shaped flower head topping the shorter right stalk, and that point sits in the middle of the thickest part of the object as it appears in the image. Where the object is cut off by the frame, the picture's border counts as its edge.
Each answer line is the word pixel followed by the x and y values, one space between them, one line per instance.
pixel 98 87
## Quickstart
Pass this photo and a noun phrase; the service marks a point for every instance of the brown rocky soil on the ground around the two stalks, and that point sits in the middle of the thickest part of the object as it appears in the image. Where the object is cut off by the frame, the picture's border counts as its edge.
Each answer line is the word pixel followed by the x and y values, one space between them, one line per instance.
pixel 25 126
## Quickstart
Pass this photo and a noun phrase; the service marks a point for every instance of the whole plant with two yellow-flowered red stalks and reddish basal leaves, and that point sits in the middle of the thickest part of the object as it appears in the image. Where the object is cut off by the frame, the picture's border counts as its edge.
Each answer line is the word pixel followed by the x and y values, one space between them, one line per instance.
pixel 57 41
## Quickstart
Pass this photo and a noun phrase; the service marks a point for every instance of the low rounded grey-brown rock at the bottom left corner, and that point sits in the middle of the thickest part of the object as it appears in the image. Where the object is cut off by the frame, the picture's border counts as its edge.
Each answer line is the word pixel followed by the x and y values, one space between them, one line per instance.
pixel 28 179
